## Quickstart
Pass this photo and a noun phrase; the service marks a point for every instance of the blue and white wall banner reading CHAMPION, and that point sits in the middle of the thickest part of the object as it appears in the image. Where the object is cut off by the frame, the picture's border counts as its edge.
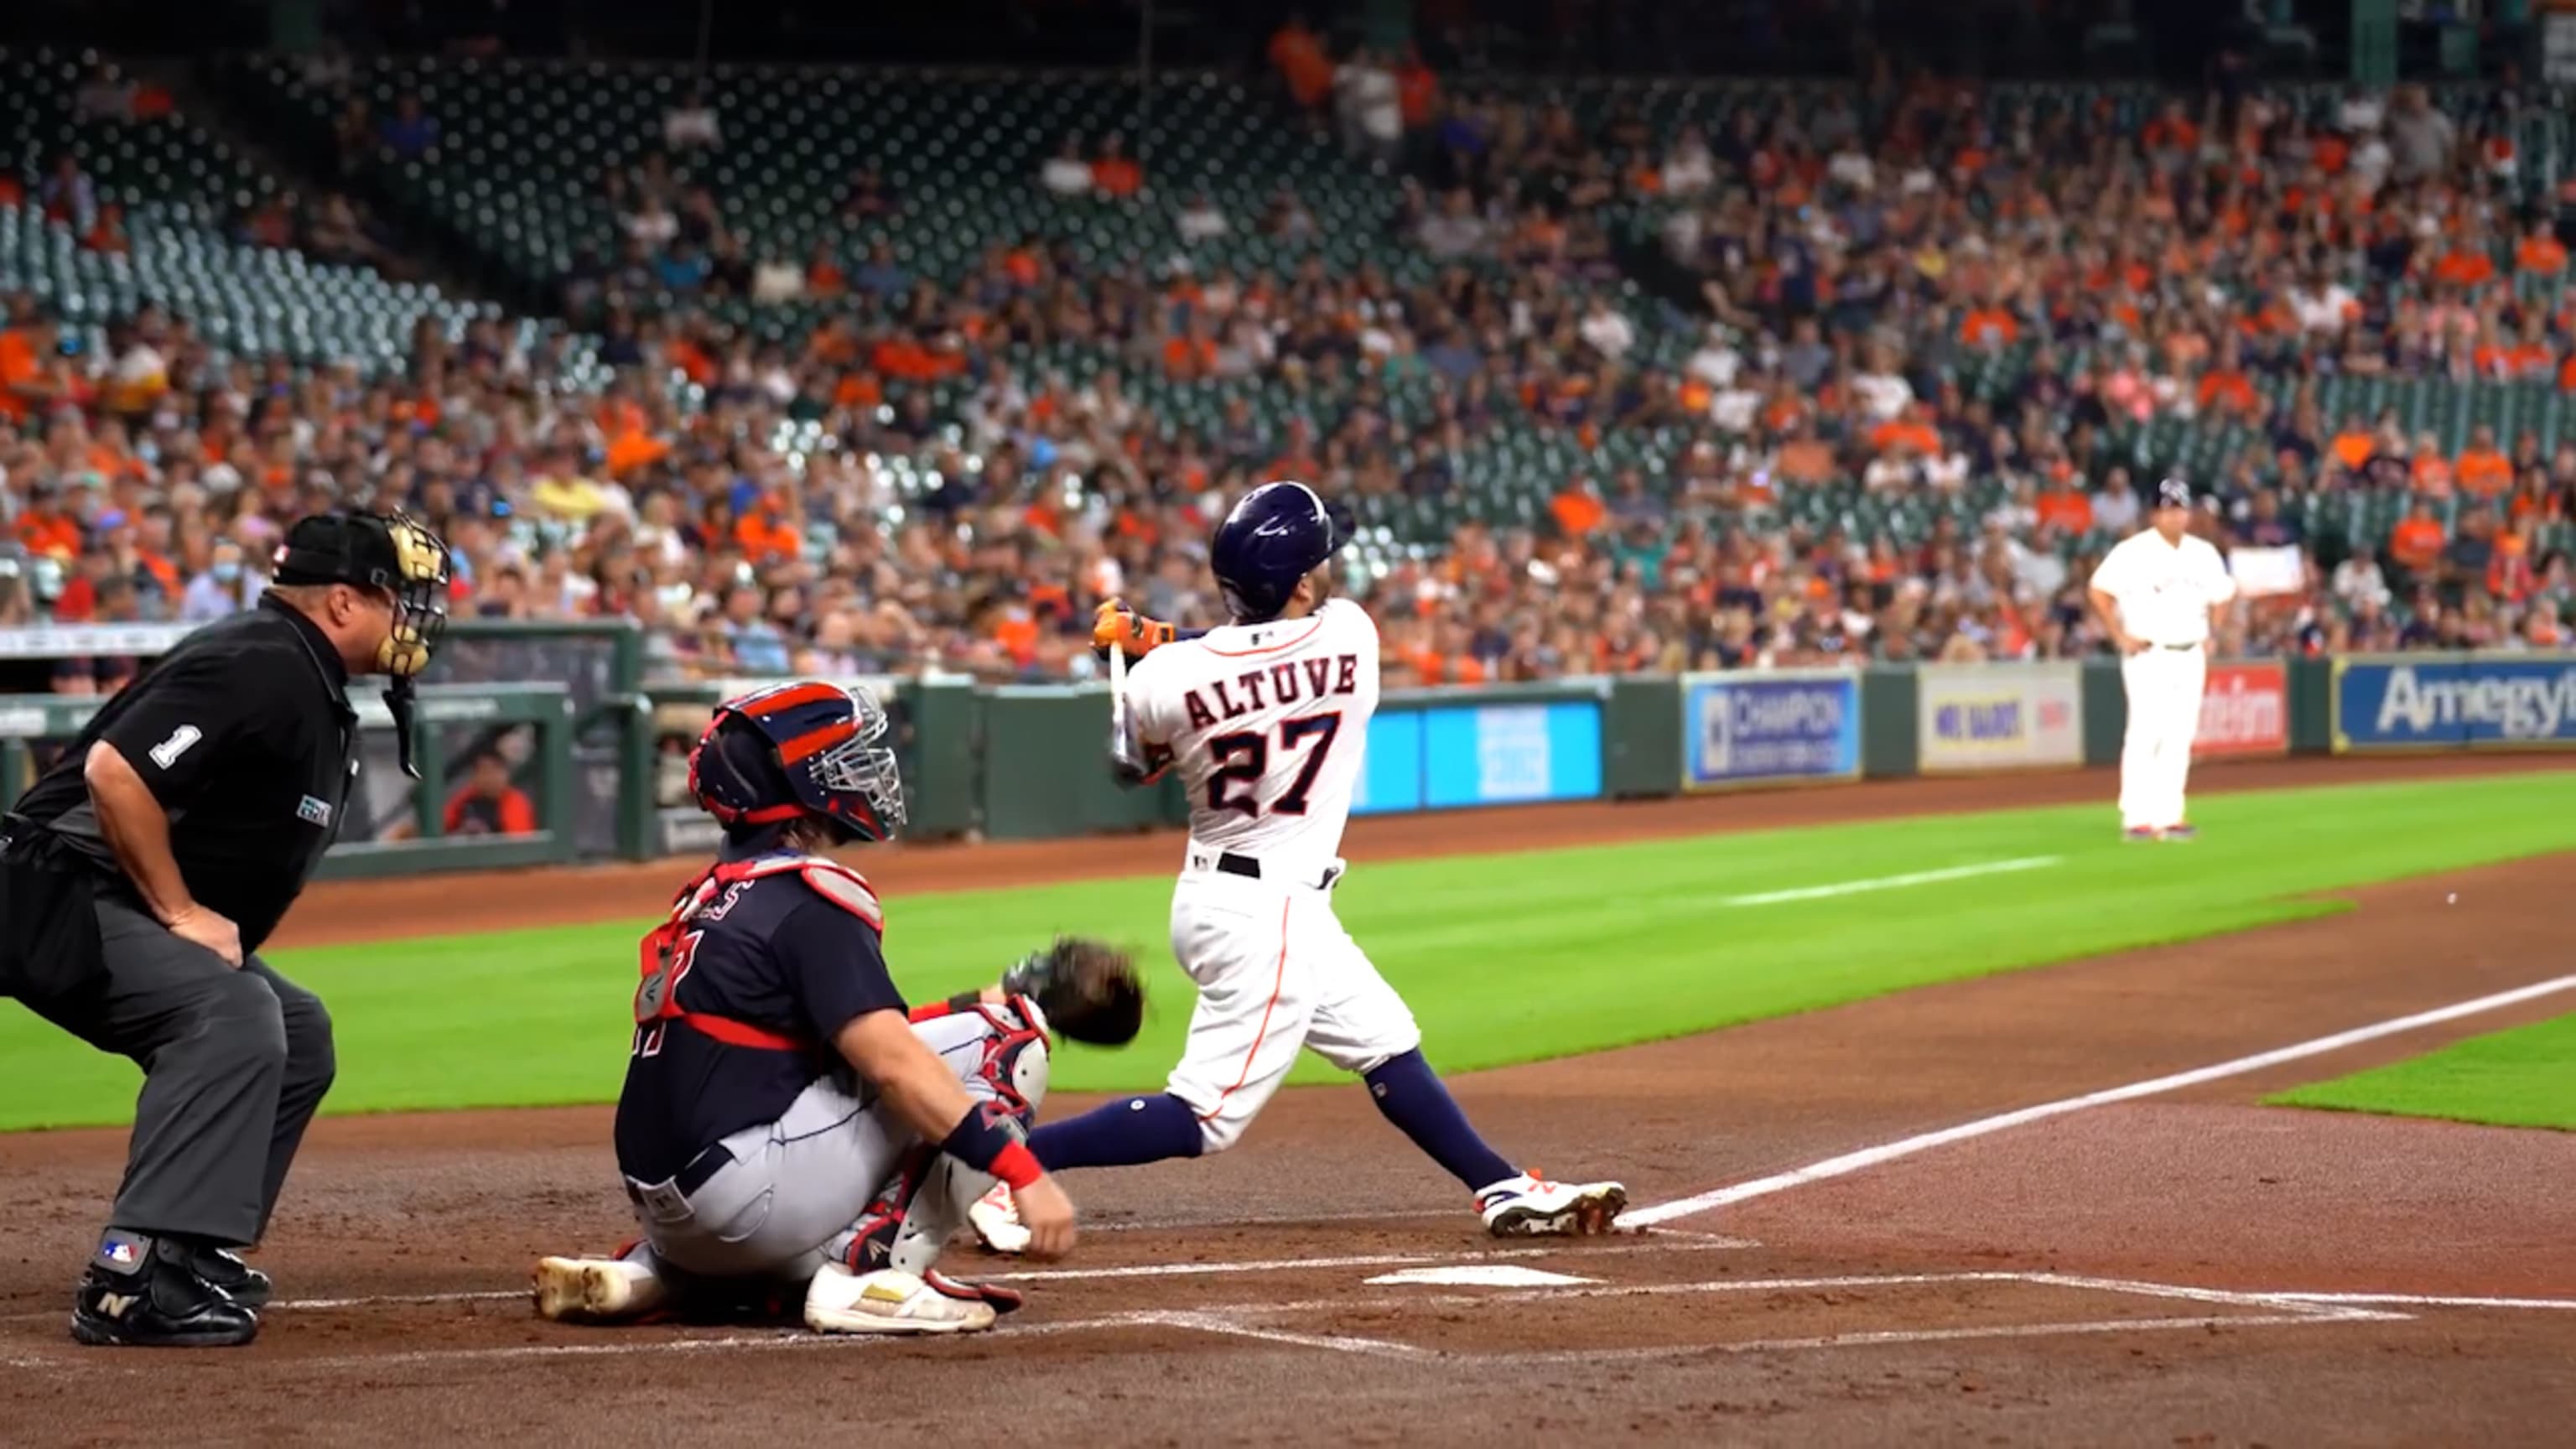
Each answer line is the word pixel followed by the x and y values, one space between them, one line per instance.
pixel 1748 728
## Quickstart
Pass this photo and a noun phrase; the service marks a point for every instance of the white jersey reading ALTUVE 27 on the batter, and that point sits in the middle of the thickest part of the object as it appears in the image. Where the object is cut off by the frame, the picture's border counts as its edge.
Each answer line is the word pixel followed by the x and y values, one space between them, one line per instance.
pixel 1266 726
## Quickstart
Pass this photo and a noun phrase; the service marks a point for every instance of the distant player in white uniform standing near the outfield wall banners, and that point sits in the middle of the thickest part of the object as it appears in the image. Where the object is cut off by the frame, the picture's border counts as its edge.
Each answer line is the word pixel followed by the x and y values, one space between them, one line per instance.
pixel 2160 592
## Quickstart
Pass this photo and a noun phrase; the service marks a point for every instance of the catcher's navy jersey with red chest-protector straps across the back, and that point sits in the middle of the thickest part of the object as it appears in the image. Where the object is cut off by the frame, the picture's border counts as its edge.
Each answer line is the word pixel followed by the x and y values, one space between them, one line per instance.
pixel 759 955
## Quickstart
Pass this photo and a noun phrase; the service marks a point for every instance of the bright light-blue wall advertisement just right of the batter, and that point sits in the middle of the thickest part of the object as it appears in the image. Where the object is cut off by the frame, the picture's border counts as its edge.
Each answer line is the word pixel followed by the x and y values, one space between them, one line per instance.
pixel 1493 754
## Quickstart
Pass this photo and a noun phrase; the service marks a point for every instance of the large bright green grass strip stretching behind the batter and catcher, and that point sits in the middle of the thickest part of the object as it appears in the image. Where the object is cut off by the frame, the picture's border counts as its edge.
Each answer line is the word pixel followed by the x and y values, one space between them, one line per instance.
pixel 1503 958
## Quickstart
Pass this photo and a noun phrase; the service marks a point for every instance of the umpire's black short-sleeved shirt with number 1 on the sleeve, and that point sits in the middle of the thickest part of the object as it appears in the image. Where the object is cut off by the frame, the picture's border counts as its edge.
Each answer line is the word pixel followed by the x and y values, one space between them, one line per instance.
pixel 246 739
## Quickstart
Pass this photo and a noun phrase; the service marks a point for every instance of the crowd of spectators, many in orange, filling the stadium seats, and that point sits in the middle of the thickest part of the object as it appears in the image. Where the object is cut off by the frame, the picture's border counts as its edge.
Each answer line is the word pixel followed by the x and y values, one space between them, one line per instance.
pixel 1632 380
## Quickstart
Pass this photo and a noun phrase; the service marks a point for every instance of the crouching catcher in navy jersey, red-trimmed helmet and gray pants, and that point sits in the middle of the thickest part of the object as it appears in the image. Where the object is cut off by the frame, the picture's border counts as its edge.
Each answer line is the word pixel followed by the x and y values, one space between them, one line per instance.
pixel 787 1120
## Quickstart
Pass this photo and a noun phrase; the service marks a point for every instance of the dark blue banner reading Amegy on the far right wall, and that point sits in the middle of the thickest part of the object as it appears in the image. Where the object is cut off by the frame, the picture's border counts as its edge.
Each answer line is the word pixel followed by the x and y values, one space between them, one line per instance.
pixel 2454 703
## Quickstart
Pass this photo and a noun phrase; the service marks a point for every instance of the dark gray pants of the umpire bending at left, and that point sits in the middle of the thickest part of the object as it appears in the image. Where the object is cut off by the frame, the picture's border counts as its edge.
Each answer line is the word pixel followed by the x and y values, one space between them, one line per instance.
pixel 236 1064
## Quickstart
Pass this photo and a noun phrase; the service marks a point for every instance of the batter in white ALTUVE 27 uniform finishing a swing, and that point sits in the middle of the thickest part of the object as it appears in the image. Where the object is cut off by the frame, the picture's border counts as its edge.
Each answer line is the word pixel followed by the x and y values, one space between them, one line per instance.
pixel 1266 721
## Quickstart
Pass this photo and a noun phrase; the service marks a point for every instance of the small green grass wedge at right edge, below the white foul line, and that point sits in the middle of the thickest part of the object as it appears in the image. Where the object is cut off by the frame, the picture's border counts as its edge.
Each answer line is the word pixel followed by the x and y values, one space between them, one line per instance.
pixel 2505 1079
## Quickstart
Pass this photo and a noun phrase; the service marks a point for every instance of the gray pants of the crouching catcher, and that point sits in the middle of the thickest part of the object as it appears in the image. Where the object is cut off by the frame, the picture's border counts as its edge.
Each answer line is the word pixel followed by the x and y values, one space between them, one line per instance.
pixel 802 1190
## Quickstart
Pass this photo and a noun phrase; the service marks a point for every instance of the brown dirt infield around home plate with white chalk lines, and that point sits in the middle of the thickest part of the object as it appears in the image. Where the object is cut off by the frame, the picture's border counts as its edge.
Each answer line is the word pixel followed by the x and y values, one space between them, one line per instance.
pixel 2116 1275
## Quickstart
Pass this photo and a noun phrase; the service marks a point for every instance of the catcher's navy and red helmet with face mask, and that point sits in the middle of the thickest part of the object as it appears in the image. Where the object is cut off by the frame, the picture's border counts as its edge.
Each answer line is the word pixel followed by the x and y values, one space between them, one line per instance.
pixel 800 752
